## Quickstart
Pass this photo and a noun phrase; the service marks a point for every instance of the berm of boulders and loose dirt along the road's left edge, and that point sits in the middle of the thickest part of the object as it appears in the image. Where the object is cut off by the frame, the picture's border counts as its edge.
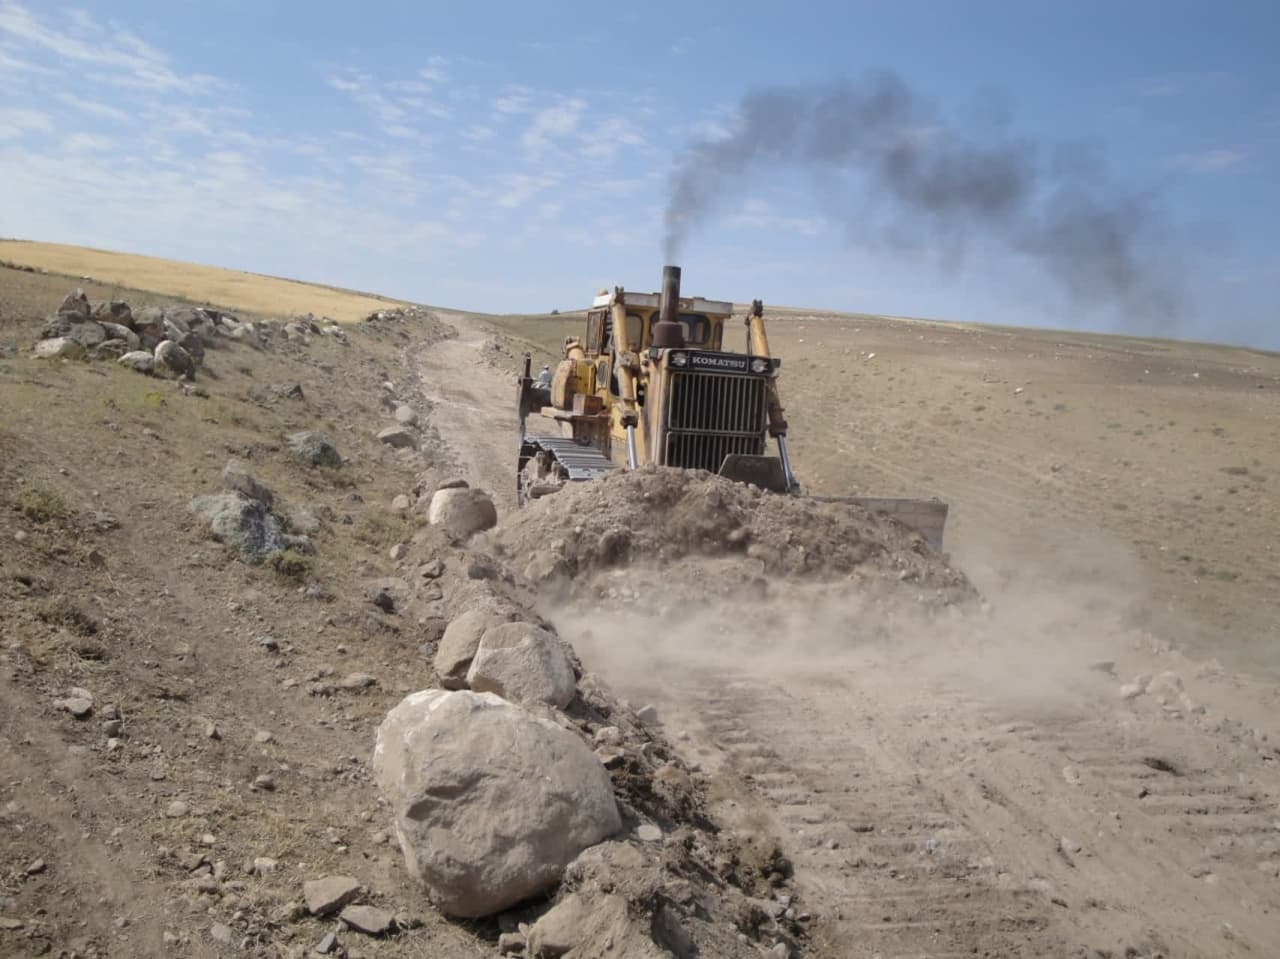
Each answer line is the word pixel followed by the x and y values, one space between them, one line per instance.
pixel 518 775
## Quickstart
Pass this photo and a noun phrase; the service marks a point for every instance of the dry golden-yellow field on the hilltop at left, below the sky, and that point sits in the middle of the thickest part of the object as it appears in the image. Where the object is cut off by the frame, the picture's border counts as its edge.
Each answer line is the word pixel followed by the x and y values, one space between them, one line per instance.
pixel 234 290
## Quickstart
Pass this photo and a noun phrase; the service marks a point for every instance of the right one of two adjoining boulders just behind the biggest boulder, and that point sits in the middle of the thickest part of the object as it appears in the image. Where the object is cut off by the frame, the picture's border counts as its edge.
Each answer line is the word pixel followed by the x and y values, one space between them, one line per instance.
pixel 523 664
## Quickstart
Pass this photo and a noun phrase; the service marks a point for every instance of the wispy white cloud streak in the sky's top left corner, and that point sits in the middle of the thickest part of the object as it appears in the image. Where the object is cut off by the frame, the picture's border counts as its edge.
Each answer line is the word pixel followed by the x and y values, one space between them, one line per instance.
pixel 125 60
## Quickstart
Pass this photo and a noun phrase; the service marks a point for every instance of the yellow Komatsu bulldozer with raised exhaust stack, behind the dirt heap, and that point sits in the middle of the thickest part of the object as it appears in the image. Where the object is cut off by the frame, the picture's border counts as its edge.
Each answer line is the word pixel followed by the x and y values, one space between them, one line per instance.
pixel 653 383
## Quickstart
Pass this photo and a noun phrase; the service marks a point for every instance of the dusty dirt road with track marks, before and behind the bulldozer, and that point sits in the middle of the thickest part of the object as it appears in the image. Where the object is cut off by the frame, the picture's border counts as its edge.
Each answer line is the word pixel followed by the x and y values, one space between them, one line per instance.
pixel 1046 780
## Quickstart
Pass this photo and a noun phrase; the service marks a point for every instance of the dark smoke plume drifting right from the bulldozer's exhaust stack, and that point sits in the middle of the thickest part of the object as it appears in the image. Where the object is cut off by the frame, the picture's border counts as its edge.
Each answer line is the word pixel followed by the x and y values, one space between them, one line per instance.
pixel 921 182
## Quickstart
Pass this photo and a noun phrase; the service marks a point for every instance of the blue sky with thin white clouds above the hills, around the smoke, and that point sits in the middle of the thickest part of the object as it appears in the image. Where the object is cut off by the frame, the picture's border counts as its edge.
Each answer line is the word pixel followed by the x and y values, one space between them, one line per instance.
pixel 519 157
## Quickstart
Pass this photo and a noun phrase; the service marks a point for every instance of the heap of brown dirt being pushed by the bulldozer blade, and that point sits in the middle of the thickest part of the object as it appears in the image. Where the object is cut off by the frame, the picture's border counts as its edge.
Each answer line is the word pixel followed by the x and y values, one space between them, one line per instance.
pixel 668 517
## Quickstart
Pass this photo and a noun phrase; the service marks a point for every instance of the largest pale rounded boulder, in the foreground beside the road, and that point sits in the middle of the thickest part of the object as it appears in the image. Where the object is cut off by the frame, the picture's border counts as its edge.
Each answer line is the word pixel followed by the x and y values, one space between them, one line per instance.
pixel 491 802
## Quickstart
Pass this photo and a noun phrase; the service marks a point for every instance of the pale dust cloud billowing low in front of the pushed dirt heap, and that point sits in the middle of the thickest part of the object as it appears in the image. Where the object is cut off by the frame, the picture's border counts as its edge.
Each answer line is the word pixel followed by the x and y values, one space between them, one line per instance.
pixel 1030 649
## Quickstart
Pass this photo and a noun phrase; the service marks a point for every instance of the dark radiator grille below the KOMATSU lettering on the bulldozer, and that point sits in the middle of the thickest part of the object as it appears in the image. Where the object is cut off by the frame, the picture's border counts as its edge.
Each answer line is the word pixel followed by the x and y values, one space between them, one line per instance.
pixel 712 415
